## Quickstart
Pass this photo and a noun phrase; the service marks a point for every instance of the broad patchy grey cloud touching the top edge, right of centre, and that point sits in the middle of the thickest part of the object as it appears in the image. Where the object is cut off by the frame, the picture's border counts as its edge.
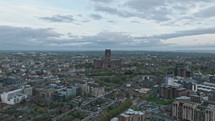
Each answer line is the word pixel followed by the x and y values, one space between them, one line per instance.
pixel 160 11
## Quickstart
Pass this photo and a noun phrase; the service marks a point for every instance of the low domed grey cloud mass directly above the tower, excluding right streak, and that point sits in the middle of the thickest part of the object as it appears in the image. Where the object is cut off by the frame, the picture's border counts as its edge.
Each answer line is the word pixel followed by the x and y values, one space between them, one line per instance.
pixel 116 40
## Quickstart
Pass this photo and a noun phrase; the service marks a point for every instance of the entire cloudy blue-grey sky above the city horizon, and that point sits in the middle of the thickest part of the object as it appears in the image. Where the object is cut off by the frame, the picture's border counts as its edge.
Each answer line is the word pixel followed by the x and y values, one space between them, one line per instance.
pixel 116 24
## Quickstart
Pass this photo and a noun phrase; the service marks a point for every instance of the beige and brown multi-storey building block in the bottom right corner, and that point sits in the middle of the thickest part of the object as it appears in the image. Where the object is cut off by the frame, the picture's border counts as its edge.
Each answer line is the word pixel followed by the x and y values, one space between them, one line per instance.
pixel 193 110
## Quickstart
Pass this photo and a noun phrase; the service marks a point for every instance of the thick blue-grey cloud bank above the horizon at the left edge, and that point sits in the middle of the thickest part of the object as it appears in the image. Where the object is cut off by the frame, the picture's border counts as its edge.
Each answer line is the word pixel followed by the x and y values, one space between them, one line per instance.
pixel 25 38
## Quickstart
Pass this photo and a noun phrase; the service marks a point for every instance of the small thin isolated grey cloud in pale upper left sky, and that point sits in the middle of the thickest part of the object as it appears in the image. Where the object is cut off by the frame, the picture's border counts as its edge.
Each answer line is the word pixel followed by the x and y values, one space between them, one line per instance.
pixel 59 18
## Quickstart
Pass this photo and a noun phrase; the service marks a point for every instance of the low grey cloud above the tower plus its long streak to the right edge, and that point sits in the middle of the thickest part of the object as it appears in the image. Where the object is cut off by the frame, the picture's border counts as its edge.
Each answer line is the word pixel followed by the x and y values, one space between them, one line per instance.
pixel 125 40
